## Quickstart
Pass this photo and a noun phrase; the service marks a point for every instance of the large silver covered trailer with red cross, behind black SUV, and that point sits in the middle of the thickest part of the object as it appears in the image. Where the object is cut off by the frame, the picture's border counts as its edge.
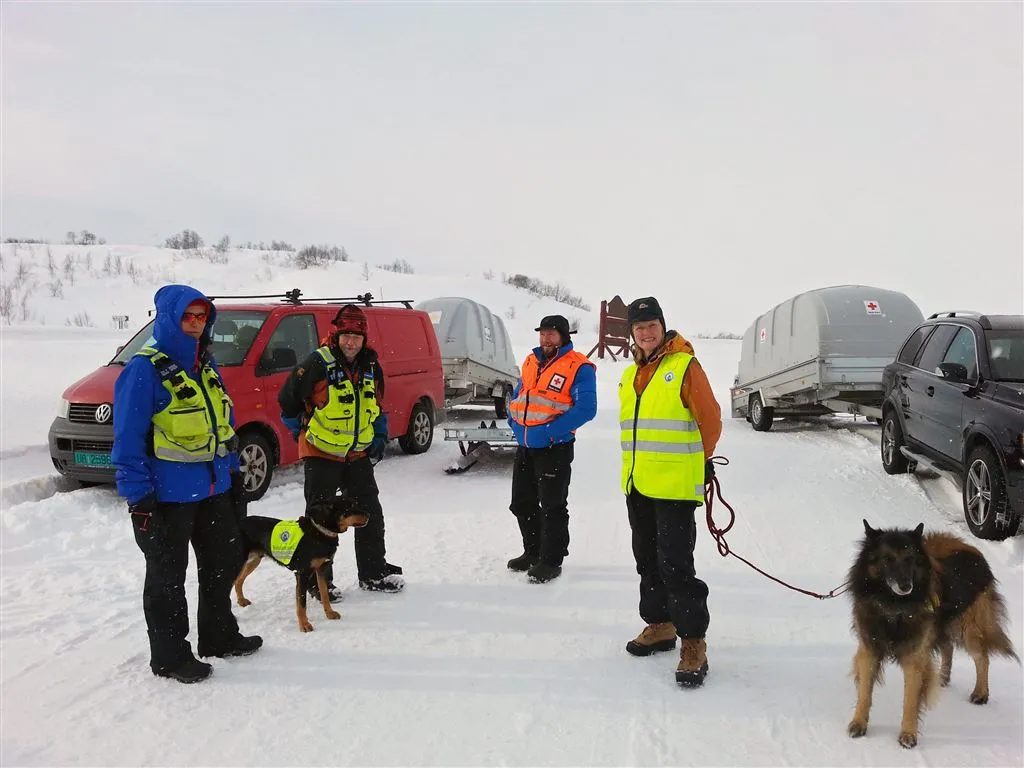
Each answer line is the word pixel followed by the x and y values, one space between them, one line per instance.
pixel 822 353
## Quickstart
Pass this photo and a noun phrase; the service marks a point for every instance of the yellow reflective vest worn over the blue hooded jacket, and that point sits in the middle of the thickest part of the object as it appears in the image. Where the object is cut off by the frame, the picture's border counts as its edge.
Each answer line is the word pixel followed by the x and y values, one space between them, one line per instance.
pixel 196 425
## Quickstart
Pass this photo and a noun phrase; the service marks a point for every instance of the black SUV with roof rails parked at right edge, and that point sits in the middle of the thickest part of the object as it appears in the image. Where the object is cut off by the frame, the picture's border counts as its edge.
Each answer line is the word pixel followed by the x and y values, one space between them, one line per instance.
pixel 955 404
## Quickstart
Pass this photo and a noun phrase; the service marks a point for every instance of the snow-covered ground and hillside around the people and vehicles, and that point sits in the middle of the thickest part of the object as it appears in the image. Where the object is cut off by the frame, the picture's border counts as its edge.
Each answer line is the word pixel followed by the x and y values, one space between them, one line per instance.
pixel 472 665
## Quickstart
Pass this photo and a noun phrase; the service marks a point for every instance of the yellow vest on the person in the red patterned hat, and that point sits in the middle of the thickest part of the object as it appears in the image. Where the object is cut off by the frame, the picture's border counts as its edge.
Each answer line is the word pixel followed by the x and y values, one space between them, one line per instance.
pixel 346 421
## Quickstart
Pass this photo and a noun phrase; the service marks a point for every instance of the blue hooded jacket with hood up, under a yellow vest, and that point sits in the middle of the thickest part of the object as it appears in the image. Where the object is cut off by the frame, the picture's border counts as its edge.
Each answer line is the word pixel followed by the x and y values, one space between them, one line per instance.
pixel 139 395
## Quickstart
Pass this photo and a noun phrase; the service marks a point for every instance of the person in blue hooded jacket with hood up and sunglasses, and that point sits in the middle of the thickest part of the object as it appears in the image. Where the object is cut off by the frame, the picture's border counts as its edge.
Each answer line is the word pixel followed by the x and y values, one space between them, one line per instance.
pixel 178 467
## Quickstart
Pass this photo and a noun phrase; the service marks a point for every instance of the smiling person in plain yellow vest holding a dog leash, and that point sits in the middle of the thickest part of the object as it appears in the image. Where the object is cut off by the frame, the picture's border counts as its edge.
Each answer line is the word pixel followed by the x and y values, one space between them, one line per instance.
pixel 670 424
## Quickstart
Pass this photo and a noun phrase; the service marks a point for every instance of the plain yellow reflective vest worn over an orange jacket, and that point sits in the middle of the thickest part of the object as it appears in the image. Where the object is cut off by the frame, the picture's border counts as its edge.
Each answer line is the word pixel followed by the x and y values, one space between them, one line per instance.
pixel 663 455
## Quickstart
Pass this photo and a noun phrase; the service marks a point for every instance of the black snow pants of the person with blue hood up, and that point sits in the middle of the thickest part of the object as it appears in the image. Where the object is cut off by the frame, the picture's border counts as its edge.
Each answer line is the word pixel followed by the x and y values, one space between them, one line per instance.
pixel 212 528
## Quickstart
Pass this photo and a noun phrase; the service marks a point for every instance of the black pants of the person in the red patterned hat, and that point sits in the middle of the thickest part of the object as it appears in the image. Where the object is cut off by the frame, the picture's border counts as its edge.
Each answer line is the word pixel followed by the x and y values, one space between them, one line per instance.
pixel 324 479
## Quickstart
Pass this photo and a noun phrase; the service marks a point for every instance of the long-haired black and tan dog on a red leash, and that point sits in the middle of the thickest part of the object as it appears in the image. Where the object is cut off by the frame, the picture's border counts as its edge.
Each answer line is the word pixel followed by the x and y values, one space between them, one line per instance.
pixel 916 596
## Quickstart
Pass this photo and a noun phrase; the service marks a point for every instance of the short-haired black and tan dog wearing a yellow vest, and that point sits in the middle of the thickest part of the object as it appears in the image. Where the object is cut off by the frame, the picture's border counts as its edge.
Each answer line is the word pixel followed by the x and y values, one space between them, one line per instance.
pixel 303 546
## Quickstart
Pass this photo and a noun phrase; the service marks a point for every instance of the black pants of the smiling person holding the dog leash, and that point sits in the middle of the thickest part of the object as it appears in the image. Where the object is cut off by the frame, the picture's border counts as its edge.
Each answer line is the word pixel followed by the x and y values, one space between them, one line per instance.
pixel 664 538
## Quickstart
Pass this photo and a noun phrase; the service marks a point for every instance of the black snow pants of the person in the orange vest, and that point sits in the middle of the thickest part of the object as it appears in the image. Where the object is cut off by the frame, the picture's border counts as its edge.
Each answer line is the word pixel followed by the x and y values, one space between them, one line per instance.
pixel 540 500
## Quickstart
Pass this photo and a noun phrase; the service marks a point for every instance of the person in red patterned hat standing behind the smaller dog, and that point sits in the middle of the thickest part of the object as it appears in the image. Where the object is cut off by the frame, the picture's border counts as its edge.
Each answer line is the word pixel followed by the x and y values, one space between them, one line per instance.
pixel 333 405
